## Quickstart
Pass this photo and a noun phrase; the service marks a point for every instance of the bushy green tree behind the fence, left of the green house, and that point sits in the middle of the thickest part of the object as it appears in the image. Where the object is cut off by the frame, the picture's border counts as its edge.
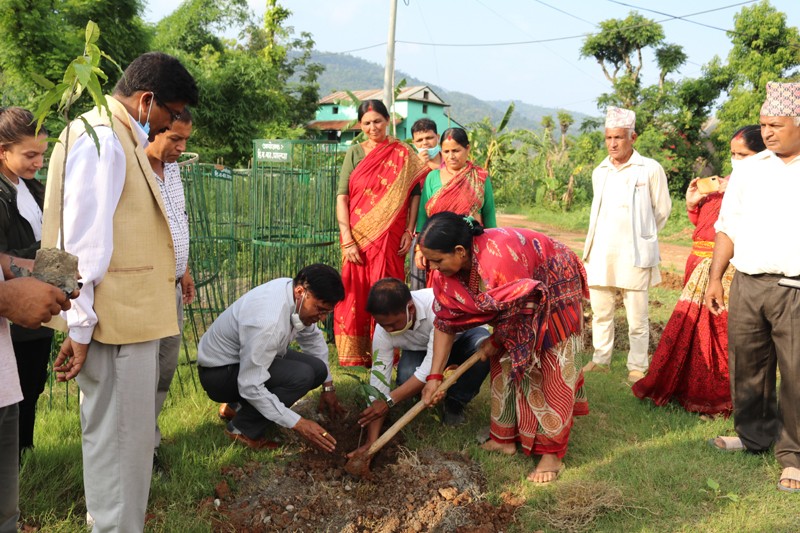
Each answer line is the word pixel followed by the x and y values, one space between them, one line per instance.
pixel 260 86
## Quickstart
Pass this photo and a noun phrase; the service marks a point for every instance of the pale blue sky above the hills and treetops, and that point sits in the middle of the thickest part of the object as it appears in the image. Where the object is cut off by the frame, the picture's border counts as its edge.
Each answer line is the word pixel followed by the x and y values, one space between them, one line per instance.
pixel 549 73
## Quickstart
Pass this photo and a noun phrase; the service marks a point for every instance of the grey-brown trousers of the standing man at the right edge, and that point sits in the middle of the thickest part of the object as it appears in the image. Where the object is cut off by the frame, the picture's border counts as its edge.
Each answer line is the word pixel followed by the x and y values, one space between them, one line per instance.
pixel 764 334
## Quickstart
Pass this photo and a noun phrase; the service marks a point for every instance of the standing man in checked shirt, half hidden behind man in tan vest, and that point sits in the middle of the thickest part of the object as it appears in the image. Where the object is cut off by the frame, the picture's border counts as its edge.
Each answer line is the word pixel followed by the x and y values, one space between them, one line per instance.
pixel 163 154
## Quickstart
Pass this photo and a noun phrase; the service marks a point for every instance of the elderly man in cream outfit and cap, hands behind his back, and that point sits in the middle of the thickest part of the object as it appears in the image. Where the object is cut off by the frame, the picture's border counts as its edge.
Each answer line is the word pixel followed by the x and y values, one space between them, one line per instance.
pixel 630 206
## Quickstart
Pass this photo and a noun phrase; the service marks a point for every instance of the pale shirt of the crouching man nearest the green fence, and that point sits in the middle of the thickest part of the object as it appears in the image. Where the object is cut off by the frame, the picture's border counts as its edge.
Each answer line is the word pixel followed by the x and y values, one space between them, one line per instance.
pixel 252 332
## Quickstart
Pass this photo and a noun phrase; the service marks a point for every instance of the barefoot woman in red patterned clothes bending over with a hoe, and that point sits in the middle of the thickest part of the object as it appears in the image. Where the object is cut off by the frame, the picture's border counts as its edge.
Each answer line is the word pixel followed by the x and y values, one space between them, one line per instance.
pixel 531 289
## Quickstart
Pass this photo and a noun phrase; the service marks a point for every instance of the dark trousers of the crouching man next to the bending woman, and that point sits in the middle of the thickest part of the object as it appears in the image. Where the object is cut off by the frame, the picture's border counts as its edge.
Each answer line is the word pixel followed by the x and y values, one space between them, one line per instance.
pixel 468 385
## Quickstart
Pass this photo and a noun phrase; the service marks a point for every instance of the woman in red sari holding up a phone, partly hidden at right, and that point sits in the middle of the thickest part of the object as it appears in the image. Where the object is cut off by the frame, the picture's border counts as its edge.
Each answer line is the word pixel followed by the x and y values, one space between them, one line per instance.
pixel 690 364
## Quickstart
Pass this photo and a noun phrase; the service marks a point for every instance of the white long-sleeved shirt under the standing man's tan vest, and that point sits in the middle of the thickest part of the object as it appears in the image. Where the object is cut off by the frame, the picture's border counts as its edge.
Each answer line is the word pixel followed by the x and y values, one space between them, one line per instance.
pixel 92 189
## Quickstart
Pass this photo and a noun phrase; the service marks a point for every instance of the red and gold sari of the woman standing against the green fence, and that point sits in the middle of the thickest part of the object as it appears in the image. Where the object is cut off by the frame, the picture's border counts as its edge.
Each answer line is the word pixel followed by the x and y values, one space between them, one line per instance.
pixel 380 190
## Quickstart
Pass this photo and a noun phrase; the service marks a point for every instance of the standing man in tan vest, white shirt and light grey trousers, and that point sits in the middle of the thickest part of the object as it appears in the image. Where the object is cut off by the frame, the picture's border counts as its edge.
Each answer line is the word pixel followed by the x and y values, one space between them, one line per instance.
pixel 116 224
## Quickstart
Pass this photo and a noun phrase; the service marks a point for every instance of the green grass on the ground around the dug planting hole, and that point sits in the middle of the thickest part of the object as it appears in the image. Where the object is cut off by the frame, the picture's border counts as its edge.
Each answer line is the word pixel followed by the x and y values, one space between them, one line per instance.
pixel 657 458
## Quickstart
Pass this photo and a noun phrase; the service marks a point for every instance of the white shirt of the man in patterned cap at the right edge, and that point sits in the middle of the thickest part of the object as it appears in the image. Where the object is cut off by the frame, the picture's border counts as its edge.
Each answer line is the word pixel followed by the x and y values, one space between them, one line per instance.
pixel 760 213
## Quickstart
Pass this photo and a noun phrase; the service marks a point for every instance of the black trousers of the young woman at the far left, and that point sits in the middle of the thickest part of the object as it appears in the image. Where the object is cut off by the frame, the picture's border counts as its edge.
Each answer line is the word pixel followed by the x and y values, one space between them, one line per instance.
pixel 32 359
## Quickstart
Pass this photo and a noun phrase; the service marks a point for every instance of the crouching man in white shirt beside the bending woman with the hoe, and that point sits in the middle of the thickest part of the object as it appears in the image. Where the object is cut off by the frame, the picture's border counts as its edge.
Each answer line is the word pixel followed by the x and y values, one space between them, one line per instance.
pixel 404 320
